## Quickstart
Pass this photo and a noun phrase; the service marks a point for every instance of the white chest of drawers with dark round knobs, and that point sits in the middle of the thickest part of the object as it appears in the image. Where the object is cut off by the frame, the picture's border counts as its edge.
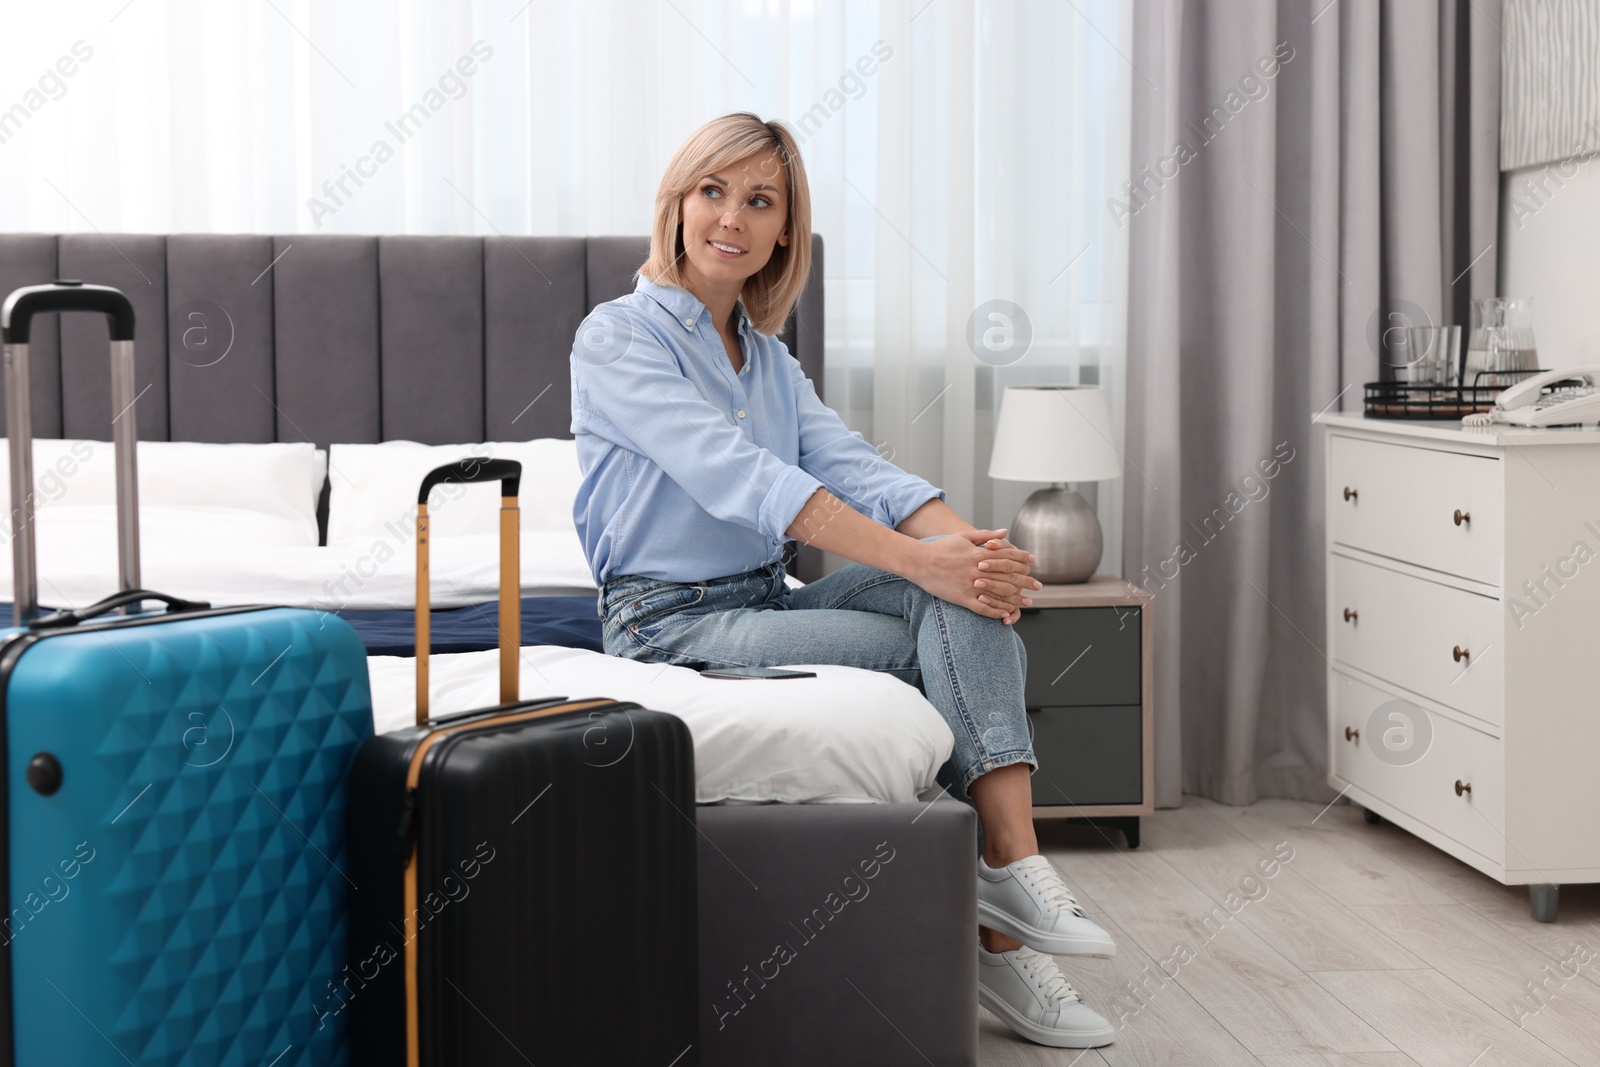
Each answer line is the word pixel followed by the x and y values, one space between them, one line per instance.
pixel 1463 575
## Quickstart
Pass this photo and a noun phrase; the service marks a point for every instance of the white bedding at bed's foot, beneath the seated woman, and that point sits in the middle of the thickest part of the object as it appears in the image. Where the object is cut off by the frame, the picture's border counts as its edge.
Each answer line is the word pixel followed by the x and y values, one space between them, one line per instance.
pixel 846 737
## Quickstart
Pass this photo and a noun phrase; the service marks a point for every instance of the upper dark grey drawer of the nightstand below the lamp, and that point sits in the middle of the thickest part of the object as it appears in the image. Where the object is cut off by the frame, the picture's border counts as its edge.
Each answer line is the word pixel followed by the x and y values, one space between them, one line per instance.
pixel 1079 657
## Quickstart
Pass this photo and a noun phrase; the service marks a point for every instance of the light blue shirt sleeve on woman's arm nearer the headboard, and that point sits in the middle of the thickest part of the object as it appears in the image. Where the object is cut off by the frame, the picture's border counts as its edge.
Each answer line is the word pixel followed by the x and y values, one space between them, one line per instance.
pixel 644 402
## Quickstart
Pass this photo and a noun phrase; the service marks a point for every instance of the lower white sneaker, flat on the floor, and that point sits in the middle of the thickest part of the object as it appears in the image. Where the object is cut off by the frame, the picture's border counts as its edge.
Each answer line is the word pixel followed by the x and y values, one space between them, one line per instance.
pixel 1031 994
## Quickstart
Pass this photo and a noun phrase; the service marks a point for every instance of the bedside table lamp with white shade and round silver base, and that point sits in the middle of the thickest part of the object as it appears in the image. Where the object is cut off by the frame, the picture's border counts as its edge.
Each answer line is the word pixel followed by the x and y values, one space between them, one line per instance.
pixel 1057 434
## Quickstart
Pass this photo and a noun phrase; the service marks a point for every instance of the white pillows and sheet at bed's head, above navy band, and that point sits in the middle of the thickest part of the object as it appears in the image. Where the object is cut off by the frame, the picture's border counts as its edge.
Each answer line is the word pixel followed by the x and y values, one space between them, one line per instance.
pixel 238 524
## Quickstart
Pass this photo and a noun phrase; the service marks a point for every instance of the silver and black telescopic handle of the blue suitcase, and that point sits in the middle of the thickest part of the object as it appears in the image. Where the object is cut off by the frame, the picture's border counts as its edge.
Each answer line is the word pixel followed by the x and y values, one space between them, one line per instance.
pixel 15 321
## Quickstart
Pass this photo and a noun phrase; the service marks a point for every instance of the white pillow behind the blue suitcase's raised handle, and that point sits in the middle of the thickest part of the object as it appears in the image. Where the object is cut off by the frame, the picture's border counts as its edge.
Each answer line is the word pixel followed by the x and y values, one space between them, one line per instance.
pixel 255 495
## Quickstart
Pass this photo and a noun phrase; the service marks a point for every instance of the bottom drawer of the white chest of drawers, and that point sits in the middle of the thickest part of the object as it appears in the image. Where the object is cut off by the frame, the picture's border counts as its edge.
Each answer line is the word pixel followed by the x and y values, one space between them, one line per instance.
pixel 1426 788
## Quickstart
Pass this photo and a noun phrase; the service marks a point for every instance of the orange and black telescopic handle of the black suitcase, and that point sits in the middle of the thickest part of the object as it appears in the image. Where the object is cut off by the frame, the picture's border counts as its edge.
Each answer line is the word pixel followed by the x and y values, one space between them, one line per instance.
pixel 466 471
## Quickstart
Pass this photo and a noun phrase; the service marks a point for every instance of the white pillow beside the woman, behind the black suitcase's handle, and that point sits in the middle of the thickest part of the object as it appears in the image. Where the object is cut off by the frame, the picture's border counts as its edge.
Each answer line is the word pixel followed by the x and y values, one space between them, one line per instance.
pixel 374 490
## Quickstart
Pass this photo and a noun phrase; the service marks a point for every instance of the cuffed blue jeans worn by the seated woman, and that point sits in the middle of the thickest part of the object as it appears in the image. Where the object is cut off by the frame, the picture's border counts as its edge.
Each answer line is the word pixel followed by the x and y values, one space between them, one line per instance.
pixel 969 666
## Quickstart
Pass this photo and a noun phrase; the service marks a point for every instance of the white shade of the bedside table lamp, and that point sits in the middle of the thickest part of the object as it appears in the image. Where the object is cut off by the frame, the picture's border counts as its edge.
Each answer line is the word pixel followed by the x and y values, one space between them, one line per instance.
pixel 1055 434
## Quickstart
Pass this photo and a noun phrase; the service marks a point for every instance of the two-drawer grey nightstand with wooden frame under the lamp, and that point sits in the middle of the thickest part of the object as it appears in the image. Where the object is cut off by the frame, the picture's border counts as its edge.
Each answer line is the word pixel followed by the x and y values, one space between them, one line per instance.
pixel 1089 703
